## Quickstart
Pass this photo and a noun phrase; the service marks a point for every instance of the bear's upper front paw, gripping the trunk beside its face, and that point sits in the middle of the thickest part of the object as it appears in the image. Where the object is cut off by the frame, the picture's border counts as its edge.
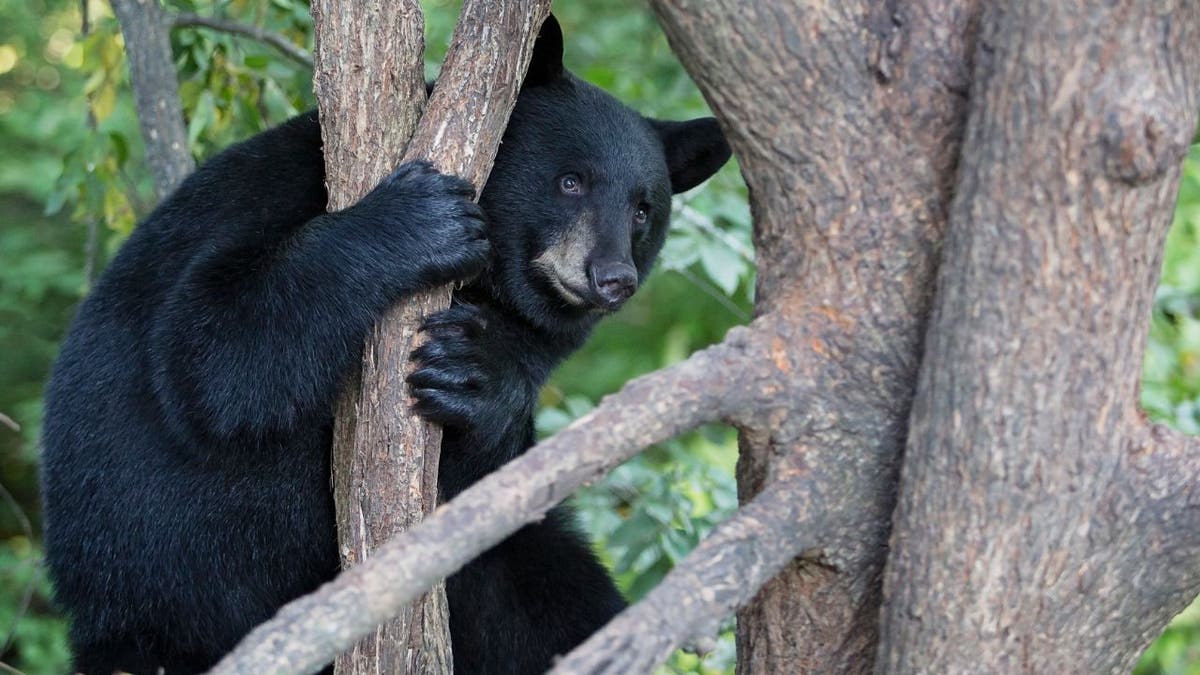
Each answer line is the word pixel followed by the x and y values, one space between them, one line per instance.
pixel 443 232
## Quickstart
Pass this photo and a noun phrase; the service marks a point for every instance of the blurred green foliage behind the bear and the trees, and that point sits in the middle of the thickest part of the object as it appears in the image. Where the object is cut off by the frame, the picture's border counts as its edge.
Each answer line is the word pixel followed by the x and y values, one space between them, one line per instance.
pixel 74 182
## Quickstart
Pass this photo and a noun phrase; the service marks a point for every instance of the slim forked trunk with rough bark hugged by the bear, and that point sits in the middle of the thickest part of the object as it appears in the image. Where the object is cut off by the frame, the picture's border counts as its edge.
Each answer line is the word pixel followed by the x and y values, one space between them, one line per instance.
pixel 385 457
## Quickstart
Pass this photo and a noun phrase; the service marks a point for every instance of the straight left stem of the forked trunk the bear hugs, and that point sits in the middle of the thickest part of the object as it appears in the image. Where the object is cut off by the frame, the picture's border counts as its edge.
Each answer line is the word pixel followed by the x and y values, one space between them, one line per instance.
pixel 370 86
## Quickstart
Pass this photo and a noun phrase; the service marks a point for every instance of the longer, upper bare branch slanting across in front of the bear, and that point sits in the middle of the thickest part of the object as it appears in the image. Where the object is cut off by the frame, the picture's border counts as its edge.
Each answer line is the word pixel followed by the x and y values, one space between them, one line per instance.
pixel 717 384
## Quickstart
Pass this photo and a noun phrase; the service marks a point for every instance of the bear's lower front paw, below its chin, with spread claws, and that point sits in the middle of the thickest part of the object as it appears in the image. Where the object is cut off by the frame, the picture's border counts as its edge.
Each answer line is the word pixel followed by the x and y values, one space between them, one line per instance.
pixel 460 383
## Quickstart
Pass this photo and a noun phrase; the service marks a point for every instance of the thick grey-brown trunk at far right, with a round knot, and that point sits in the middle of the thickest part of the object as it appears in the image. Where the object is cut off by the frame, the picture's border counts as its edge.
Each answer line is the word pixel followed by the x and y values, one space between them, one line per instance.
pixel 1023 516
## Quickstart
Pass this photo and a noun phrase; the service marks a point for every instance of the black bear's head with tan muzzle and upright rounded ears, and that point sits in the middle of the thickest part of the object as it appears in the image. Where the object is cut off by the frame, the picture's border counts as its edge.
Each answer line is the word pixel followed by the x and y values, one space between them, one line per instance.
pixel 580 198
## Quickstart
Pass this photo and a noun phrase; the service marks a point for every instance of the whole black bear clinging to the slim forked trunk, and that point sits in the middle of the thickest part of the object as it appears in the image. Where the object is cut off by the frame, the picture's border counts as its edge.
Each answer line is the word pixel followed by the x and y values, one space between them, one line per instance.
pixel 189 416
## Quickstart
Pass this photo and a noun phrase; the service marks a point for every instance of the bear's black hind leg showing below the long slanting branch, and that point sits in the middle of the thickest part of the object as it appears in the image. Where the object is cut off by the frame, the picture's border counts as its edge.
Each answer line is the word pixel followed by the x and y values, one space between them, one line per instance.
pixel 533 598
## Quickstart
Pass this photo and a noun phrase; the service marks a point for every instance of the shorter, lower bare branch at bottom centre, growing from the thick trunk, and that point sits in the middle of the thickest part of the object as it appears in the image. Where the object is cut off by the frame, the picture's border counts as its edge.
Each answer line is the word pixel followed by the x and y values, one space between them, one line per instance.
pixel 713 582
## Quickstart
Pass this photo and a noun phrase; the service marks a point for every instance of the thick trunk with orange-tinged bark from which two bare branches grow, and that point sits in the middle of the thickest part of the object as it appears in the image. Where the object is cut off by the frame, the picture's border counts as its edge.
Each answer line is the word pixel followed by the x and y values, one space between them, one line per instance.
pixel 845 118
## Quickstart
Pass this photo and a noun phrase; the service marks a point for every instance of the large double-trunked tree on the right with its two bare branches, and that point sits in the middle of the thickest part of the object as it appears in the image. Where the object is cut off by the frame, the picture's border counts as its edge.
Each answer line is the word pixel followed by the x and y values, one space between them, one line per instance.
pixel 959 214
